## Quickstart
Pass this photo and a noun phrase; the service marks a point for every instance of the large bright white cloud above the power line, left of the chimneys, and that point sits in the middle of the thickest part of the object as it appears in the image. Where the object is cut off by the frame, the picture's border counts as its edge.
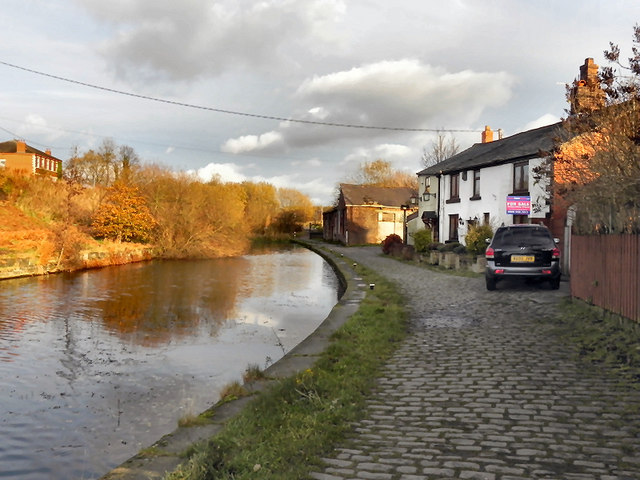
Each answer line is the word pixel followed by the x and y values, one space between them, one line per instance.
pixel 406 92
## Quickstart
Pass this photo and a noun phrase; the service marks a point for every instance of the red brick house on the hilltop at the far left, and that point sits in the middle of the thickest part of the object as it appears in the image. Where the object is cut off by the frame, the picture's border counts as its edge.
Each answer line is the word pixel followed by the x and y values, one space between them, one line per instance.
pixel 17 156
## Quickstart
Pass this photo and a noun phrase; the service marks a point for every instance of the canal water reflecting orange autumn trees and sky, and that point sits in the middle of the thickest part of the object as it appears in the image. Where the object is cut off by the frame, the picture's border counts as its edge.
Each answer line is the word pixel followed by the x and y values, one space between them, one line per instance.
pixel 96 365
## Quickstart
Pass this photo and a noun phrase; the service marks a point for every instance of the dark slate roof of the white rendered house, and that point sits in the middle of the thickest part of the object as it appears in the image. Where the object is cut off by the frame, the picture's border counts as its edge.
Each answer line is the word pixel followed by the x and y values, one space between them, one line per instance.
pixel 520 146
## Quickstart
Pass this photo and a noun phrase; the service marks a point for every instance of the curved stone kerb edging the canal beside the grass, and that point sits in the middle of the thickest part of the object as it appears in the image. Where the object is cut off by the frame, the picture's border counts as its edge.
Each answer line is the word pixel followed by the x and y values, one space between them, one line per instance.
pixel 166 454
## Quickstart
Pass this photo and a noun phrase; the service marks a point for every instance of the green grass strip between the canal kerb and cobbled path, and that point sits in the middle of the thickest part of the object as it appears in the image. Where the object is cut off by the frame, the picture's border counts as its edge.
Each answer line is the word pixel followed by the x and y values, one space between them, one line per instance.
pixel 286 430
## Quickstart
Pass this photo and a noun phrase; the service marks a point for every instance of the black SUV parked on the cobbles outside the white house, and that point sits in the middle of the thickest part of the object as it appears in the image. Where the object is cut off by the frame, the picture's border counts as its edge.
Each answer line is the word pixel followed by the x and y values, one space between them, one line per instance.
pixel 526 251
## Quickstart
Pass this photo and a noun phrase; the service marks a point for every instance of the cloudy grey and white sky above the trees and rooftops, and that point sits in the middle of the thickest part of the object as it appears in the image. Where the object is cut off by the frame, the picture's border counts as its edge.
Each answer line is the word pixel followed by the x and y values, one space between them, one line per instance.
pixel 281 90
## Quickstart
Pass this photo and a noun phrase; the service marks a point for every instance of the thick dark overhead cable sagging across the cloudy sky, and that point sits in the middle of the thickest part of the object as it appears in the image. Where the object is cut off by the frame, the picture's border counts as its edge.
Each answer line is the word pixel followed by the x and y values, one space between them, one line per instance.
pixel 232 112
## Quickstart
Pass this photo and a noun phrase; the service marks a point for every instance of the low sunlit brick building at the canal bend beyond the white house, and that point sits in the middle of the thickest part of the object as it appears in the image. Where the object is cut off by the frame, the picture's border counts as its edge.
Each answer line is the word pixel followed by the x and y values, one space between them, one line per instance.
pixel 366 214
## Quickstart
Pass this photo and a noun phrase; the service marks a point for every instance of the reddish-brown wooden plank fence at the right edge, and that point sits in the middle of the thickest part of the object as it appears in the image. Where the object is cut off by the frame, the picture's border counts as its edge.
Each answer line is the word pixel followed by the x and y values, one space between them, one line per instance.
pixel 605 271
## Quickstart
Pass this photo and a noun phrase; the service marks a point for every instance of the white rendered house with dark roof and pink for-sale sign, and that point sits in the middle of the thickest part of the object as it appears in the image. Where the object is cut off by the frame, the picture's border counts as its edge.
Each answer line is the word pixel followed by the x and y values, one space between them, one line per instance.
pixel 493 182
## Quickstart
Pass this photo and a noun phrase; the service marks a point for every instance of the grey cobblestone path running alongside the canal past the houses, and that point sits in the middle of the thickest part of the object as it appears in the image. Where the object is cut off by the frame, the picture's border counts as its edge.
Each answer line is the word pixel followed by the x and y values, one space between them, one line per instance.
pixel 482 390
